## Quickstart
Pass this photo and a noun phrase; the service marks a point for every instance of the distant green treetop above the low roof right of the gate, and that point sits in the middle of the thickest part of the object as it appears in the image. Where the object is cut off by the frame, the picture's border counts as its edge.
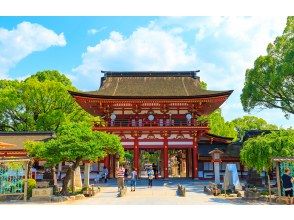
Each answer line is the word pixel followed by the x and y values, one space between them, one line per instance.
pixel 251 123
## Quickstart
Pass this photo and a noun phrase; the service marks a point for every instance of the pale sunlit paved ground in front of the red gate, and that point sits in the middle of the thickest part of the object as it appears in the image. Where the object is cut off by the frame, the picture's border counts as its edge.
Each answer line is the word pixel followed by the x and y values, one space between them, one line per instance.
pixel 162 193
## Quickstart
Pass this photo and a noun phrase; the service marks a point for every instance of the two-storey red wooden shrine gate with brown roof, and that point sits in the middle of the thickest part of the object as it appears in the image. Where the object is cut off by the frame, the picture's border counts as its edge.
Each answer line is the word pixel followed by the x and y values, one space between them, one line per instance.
pixel 153 111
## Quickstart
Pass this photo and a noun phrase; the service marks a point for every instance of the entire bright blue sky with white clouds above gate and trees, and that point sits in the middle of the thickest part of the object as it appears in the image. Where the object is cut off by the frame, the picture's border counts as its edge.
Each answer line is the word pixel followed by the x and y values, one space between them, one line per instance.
pixel 221 47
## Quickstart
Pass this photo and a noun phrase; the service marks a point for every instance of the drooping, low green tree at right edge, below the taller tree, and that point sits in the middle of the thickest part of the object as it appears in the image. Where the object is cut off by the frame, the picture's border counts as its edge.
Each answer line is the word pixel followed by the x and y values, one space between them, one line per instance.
pixel 258 152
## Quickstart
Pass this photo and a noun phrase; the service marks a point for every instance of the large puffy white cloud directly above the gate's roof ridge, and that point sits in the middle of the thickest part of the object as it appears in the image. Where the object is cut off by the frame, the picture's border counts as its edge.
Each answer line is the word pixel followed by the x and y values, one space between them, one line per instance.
pixel 147 48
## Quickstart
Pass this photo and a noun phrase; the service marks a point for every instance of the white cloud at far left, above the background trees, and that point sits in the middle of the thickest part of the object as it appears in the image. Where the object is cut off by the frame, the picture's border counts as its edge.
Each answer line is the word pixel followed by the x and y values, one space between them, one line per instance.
pixel 26 38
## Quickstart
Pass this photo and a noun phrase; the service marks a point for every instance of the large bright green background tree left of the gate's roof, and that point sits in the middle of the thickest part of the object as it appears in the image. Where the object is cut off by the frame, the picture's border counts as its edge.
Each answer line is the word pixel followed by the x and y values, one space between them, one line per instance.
pixel 40 102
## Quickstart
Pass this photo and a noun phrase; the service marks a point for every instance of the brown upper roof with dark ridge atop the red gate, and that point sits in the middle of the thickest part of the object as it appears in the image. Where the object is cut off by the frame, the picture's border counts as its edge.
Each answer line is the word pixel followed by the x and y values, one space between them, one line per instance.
pixel 152 84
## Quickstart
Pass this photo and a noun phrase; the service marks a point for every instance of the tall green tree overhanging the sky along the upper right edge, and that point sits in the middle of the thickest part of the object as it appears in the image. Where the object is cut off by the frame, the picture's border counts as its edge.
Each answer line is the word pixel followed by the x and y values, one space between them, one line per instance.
pixel 270 83
